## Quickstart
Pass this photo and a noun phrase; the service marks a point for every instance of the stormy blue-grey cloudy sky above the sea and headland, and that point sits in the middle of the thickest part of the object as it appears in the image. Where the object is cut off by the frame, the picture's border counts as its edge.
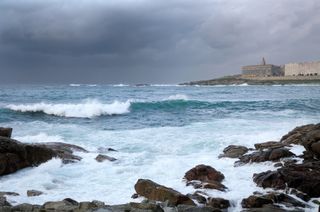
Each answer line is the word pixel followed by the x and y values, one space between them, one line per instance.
pixel 150 41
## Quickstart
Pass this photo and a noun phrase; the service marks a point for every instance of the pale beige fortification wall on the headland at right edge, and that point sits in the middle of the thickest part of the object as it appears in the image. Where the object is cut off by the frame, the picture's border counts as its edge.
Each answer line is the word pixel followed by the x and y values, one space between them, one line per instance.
pixel 302 69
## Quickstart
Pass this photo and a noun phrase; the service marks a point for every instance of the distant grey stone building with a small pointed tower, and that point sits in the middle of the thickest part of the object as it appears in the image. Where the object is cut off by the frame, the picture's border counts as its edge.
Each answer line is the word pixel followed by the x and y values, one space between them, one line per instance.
pixel 262 70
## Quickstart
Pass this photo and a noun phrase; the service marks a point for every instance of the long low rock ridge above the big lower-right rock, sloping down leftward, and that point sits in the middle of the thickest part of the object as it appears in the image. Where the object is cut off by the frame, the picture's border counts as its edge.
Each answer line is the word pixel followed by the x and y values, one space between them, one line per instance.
pixel 267 155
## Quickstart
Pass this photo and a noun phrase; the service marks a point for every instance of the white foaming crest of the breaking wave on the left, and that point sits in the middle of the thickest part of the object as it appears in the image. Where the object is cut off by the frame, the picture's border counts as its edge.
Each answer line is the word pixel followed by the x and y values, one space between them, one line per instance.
pixel 86 109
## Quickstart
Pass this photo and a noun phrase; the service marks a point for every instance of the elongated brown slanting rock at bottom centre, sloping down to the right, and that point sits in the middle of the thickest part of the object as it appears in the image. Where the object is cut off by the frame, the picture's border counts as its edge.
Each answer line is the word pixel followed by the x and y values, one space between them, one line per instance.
pixel 154 191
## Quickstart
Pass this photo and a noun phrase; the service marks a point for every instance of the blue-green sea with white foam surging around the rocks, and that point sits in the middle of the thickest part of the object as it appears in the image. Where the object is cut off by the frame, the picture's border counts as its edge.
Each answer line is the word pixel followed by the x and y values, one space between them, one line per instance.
pixel 160 132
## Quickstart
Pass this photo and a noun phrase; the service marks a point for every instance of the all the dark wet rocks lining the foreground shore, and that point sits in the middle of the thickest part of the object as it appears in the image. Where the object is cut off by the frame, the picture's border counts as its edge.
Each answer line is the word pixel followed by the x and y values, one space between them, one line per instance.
pixel 294 185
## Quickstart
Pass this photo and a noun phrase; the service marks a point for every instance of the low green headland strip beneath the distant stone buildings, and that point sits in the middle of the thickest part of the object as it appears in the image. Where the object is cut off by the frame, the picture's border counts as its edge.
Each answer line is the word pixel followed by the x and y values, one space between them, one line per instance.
pixel 239 79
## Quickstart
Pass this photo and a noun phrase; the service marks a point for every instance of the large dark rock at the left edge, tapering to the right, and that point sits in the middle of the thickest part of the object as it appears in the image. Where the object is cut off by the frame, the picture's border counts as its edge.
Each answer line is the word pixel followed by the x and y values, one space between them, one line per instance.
pixel 15 155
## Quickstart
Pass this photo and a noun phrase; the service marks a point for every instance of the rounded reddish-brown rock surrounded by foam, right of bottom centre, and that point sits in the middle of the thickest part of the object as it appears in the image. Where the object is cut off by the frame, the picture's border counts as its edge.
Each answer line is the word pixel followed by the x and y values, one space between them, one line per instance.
pixel 204 173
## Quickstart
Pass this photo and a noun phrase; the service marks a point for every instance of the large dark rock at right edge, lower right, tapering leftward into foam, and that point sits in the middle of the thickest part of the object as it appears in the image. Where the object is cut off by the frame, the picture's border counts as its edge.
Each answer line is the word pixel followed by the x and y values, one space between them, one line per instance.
pixel 303 177
